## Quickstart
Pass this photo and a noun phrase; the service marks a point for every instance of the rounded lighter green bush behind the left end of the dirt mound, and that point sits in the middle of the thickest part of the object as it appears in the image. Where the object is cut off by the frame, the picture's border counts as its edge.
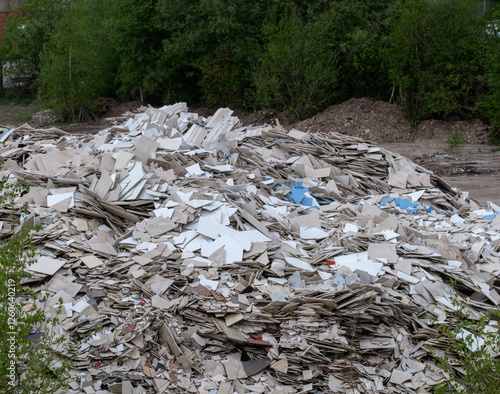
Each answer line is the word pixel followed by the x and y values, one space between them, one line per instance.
pixel 298 72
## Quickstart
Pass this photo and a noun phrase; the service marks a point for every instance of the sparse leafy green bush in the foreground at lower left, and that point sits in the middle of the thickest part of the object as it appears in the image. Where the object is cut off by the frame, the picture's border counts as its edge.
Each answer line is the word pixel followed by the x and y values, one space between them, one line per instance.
pixel 28 363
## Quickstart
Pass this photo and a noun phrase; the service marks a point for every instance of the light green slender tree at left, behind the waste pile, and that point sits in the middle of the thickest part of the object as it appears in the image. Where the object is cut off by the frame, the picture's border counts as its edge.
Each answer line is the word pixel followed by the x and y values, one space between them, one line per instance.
pixel 77 63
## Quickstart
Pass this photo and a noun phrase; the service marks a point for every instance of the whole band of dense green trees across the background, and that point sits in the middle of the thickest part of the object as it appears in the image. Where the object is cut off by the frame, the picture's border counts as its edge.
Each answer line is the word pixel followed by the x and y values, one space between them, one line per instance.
pixel 435 57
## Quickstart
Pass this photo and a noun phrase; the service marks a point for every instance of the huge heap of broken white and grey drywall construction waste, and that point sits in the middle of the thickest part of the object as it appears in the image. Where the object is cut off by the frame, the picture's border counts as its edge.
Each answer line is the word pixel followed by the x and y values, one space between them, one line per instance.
pixel 194 255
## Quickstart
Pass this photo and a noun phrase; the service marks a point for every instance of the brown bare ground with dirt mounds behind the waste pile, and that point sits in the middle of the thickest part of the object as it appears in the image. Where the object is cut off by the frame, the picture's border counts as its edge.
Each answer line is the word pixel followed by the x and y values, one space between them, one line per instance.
pixel 475 167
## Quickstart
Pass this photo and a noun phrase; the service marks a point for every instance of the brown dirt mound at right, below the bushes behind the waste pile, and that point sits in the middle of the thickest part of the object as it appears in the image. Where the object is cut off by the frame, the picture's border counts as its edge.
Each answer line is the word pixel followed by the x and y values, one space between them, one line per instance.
pixel 380 122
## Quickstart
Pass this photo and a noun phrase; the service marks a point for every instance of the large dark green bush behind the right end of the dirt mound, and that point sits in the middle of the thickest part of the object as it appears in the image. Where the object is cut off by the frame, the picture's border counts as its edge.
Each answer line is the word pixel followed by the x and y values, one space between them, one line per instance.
pixel 436 56
